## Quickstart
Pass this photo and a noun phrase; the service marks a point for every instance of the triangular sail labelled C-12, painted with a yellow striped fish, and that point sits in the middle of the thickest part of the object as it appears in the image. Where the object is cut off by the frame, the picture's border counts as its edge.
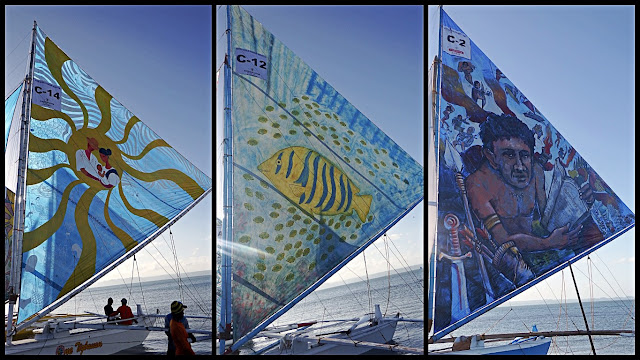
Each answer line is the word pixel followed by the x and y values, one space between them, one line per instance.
pixel 314 179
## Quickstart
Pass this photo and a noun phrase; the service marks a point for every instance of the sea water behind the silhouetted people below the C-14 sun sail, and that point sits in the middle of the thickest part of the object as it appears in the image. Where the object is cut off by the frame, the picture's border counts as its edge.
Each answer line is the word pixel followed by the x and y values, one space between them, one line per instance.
pixel 155 296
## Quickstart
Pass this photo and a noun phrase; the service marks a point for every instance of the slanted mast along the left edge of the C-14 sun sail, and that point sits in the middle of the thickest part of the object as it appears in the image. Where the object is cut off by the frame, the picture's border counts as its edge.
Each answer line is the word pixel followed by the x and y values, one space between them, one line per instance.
pixel 18 221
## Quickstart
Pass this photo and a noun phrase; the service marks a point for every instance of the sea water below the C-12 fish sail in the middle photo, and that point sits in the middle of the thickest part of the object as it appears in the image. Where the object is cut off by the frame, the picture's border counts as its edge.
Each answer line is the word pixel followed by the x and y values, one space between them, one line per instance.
pixel 401 292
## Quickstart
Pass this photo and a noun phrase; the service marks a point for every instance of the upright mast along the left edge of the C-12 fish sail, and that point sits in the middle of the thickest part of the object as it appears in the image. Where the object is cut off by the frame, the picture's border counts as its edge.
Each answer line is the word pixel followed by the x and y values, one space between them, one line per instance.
pixel 227 226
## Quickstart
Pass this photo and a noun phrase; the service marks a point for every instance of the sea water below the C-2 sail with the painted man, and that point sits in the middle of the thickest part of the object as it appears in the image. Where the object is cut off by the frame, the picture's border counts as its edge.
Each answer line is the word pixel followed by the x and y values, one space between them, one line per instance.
pixel 606 315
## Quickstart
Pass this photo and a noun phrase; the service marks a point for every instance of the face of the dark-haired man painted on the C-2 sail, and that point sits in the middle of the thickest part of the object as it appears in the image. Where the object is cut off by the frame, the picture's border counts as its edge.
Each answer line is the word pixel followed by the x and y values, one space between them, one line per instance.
pixel 512 158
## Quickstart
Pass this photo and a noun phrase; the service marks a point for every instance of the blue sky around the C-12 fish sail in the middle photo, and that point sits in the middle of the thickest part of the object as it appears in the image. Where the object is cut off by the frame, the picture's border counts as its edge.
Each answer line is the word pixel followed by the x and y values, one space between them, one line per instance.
pixel 373 56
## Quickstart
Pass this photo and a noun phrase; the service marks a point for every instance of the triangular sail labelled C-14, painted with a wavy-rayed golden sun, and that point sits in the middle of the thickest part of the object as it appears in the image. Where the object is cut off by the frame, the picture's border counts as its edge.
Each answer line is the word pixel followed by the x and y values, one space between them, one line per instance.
pixel 99 181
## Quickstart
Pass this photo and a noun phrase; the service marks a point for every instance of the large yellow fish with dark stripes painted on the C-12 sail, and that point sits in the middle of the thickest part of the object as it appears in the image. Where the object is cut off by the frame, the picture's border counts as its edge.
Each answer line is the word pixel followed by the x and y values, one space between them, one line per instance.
pixel 314 183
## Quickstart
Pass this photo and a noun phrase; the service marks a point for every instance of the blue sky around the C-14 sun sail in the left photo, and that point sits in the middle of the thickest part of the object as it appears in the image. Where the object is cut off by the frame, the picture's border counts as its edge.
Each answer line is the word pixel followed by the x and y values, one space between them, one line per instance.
pixel 156 60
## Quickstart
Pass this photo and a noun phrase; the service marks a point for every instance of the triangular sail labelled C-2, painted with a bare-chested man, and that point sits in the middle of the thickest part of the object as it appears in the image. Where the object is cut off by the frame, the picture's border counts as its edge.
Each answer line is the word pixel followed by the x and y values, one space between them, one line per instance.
pixel 516 201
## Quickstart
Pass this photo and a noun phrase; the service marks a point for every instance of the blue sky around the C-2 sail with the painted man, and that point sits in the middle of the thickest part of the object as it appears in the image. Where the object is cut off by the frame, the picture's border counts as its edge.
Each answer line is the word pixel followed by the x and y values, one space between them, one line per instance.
pixel 576 64
